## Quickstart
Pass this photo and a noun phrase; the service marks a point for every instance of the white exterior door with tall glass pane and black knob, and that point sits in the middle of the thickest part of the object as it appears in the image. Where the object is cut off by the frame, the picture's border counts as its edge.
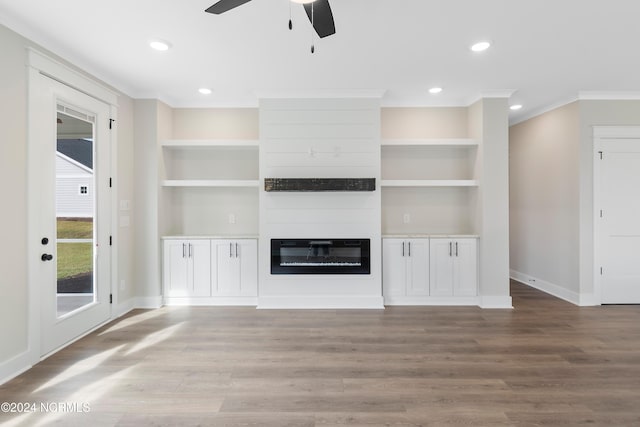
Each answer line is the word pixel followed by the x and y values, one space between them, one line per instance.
pixel 61 251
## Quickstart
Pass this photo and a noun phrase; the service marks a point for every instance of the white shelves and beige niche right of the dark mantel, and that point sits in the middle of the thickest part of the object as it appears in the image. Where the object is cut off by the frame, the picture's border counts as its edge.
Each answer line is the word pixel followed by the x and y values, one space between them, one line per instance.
pixel 428 185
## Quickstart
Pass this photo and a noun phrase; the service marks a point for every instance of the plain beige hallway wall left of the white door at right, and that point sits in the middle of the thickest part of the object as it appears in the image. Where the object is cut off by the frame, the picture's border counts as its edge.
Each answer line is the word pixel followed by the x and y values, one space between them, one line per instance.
pixel 544 201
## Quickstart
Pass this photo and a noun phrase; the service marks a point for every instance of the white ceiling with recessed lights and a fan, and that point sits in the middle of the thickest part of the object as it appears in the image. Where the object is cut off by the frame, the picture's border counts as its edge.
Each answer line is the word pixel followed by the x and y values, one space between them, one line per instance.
pixel 546 51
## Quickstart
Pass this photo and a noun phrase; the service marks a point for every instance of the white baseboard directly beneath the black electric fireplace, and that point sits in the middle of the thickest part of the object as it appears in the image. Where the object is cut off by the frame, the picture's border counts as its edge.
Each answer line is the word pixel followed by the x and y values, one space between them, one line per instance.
pixel 320 302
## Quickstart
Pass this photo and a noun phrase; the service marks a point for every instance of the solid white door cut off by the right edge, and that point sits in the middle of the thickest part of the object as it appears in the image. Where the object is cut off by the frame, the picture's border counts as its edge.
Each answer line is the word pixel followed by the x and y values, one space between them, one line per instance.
pixel 617 196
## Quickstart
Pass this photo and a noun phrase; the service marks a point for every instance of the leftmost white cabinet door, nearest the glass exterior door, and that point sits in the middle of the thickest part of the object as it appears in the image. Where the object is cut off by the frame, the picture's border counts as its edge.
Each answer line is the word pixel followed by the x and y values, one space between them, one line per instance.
pixel 175 269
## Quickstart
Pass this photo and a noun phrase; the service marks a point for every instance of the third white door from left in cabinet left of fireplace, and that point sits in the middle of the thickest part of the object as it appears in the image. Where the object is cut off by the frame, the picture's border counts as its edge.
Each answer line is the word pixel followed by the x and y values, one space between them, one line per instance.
pixel 226 272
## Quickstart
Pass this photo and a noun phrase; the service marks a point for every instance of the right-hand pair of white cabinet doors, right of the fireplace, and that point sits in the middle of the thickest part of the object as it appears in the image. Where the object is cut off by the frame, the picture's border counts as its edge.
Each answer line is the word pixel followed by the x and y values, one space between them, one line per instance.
pixel 453 267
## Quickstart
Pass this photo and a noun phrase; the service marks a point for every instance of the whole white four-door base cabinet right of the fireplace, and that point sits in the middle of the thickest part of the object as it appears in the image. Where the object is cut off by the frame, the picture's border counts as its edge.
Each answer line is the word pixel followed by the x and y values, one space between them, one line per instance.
pixel 429 270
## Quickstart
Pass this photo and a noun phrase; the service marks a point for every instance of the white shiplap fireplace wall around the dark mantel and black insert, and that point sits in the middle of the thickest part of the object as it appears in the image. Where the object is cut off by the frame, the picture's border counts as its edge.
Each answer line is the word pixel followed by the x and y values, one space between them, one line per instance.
pixel 320 138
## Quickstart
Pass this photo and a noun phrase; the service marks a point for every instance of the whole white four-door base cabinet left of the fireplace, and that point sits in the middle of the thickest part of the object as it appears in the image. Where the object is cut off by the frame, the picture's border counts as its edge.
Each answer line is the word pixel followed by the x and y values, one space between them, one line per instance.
pixel 201 271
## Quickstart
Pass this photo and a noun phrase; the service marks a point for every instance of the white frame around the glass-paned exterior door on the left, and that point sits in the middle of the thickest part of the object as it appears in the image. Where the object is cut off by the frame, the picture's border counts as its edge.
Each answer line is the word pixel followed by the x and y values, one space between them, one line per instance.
pixel 37 65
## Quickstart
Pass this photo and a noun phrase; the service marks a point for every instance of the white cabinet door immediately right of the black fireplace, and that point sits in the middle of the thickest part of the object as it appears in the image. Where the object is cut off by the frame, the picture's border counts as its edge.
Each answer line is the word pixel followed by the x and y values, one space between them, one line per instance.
pixel 394 267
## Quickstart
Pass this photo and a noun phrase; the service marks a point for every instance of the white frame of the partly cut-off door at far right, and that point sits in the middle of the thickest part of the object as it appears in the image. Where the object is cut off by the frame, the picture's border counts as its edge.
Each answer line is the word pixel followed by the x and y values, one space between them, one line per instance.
pixel 601 134
